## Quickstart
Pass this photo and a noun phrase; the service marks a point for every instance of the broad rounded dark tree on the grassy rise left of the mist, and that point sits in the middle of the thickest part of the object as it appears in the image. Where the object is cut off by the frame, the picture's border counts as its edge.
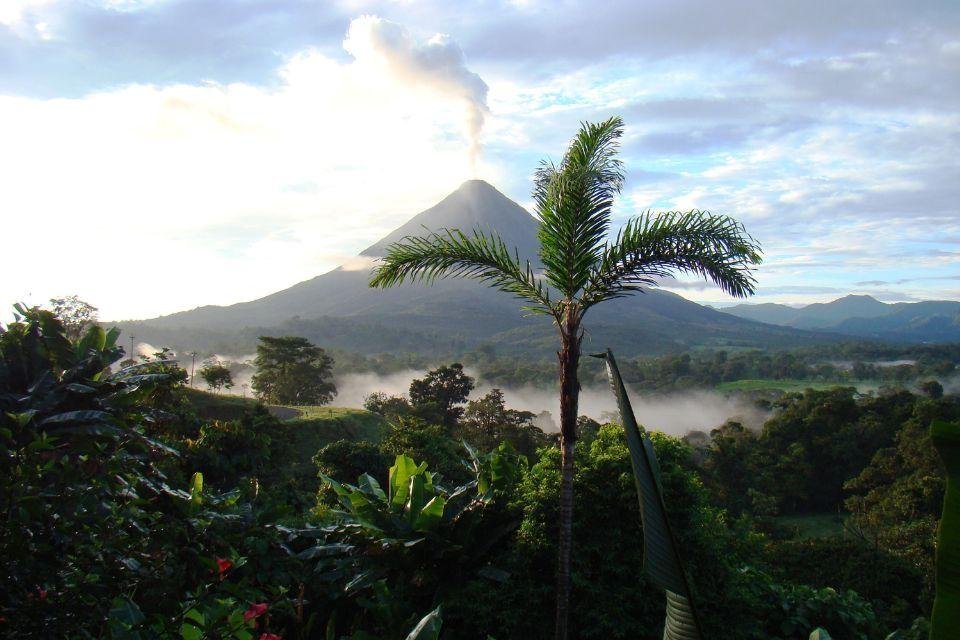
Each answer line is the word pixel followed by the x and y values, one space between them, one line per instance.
pixel 291 370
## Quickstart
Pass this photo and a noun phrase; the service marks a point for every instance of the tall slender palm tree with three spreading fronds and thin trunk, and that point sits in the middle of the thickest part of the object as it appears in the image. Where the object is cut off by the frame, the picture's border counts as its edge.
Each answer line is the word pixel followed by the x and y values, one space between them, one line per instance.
pixel 581 267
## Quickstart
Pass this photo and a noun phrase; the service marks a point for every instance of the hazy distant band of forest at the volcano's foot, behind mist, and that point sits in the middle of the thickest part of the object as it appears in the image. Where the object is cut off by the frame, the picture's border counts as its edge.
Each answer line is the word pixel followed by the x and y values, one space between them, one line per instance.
pixel 835 362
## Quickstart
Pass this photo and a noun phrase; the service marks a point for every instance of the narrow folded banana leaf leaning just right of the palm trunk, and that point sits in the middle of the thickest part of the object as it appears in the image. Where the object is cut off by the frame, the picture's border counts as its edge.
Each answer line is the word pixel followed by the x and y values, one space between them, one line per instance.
pixel 661 555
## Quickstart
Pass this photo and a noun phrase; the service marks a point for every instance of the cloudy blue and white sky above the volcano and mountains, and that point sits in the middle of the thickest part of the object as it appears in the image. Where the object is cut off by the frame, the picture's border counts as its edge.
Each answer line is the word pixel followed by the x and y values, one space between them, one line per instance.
pixel 156 155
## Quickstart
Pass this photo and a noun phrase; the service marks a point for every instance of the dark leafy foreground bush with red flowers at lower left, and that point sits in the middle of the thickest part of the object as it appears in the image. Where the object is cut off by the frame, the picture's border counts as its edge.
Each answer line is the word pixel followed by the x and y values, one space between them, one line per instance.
pixel 94 540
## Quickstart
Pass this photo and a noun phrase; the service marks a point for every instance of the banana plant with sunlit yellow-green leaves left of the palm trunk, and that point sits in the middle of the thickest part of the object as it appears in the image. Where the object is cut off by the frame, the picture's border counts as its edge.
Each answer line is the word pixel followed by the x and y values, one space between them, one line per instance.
pixel 391 550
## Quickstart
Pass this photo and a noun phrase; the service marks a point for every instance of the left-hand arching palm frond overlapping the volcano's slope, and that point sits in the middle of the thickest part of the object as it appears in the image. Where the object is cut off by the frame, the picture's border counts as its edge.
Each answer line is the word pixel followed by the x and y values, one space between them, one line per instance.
pixel 452 254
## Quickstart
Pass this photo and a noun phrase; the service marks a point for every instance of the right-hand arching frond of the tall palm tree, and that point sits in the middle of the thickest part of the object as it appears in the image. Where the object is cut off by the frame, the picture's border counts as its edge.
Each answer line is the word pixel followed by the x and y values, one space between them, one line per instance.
pixel 652 246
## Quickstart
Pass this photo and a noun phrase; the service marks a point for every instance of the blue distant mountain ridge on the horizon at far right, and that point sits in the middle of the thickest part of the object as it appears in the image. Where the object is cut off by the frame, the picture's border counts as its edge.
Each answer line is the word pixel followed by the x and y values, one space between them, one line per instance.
pixel 864 317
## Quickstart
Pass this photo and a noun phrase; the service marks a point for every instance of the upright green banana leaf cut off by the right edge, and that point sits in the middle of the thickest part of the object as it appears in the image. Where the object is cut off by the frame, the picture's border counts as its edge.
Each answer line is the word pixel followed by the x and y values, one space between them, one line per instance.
pixel 945 619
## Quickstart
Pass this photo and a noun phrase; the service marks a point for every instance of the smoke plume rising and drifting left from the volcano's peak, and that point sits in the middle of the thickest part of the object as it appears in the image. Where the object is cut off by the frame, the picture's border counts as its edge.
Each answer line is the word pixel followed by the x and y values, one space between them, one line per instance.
pixel 437 64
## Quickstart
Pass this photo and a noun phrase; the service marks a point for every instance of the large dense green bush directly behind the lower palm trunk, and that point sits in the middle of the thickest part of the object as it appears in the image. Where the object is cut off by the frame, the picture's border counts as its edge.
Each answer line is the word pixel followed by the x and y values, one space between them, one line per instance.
pixel 611 598
